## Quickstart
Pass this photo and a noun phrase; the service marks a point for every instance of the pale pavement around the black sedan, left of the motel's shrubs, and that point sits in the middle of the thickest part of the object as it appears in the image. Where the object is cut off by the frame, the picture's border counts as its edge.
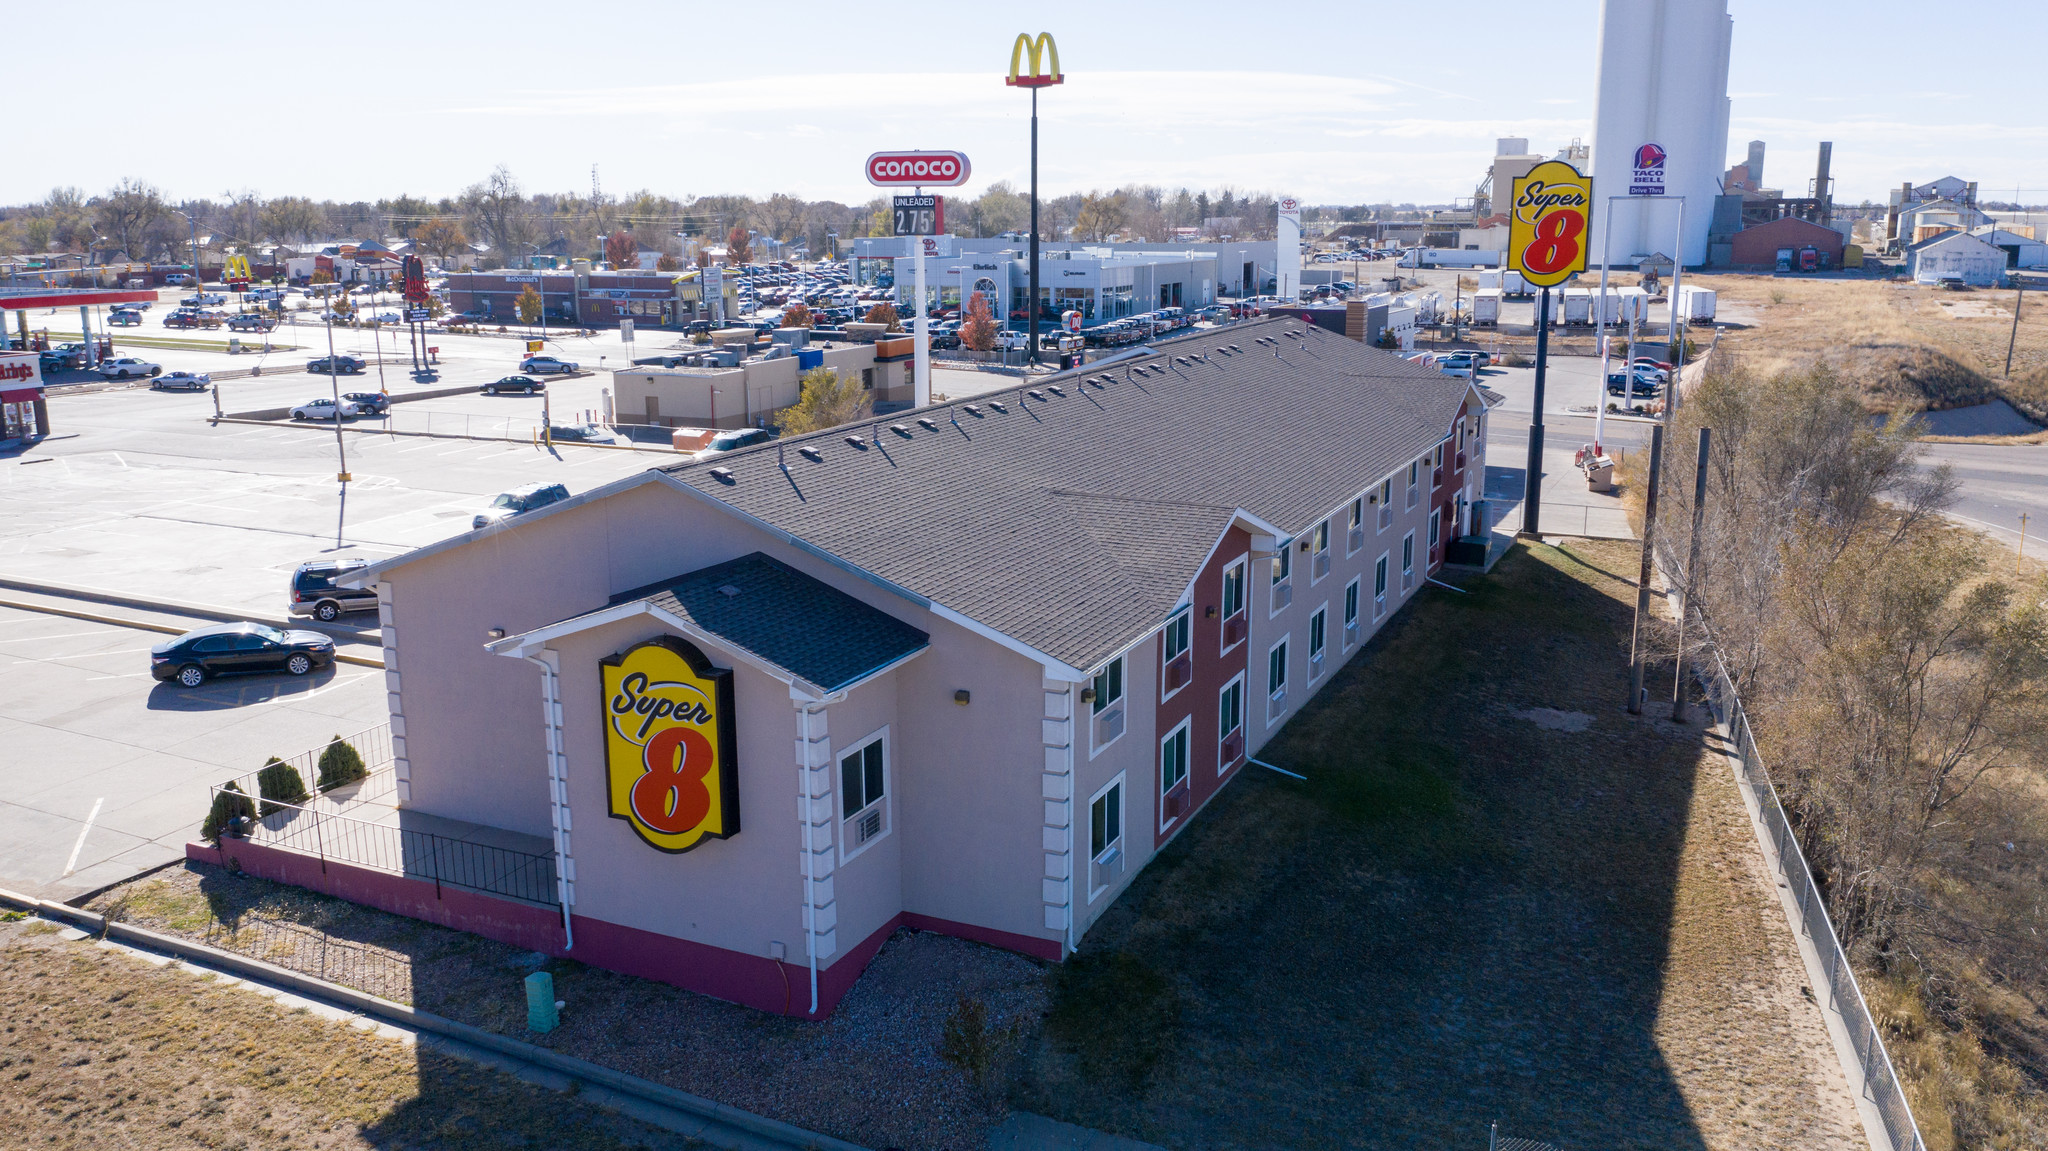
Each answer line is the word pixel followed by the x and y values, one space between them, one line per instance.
pixel 108 771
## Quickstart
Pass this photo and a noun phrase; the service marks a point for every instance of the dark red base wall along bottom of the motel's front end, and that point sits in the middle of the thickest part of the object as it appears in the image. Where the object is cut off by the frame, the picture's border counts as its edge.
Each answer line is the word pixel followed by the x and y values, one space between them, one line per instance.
pixel 751 980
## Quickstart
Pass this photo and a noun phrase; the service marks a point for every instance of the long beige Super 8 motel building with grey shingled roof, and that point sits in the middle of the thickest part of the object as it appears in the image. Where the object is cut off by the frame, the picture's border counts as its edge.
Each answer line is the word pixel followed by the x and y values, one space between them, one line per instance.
pixel 966 669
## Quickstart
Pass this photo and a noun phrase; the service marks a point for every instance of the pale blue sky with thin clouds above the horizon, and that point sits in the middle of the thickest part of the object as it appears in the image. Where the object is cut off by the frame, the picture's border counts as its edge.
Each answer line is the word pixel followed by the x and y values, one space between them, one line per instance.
pixel 1334 103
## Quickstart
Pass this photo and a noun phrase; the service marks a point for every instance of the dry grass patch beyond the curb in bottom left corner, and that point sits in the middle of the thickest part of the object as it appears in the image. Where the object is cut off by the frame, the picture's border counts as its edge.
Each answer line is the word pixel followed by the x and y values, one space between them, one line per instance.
pixel 105 1052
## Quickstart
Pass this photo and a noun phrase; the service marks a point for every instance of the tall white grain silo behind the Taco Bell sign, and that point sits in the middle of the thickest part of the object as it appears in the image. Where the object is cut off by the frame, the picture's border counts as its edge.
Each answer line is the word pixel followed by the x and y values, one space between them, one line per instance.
pixel 1660 124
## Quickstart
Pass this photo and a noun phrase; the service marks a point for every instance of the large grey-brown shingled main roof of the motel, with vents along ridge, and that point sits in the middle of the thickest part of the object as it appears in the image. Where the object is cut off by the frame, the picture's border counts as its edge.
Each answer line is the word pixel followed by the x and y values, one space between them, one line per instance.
pixel 1074 523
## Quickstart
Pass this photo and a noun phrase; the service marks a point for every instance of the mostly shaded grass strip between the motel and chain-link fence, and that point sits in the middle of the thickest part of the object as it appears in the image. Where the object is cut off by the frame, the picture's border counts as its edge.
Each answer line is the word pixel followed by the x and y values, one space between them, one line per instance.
pixel 1498 898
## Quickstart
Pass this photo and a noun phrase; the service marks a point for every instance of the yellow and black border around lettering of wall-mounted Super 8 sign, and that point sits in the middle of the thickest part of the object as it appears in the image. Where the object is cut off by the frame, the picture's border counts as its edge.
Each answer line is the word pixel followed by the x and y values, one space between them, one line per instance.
pixel 620 777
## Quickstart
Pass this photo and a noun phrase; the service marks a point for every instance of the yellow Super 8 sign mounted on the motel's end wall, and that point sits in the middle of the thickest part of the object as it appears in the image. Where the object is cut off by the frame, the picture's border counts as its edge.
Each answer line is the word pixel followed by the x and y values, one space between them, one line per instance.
pixel 669 744
